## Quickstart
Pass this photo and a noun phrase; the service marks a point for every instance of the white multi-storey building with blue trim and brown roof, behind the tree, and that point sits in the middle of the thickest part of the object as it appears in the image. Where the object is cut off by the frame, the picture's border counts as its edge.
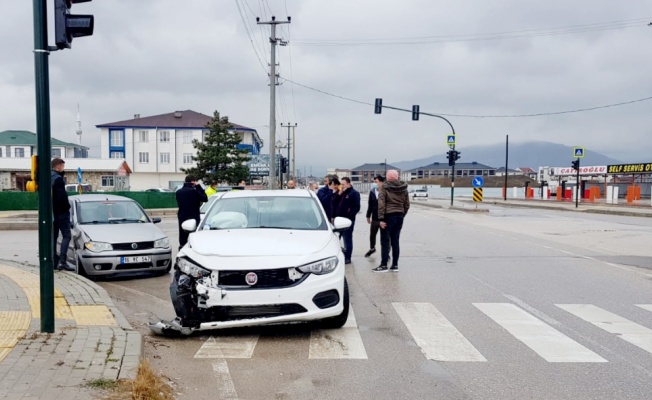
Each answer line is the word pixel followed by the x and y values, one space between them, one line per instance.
pixel 157 147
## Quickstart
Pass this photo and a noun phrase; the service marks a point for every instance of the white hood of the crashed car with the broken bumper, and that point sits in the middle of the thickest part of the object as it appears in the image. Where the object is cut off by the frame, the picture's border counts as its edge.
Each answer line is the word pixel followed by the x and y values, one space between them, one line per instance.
pixel 259 242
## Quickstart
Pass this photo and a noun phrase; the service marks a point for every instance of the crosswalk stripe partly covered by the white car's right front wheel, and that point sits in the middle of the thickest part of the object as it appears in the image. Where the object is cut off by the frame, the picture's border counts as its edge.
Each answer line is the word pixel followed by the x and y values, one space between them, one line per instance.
pixel 345 342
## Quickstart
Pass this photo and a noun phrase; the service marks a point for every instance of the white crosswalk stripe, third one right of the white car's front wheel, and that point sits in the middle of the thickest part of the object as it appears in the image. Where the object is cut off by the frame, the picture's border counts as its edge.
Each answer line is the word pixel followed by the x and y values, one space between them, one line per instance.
pixel 546 341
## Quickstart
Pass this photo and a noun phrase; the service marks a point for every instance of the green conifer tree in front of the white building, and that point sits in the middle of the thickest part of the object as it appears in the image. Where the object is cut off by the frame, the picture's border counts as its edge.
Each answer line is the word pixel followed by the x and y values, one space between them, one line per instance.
pixel 218 157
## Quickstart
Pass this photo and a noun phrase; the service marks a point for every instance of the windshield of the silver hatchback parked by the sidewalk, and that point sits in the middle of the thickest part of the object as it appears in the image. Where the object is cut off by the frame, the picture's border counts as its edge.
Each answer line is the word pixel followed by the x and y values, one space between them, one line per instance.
pixel 110 212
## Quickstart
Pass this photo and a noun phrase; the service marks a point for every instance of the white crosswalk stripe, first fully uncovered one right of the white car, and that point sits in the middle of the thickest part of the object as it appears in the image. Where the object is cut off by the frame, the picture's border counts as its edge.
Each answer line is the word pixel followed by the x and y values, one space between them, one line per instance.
pixel 438 339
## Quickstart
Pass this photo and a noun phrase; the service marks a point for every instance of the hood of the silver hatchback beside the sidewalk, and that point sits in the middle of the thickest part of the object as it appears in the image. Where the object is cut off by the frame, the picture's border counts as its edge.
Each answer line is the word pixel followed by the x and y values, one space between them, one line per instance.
pixel 122 233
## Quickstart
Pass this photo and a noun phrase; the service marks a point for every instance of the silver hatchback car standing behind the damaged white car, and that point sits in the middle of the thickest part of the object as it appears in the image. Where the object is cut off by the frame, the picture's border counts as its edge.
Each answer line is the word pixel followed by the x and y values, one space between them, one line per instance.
pixel 113 234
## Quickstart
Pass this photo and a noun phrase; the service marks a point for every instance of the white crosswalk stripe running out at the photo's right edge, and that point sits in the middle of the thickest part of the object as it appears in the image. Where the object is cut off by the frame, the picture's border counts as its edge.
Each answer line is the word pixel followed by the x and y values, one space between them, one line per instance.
pixel 636 334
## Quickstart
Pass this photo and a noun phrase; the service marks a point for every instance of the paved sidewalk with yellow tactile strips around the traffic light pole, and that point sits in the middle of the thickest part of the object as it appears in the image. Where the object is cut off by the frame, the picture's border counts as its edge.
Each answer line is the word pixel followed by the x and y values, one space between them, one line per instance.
pixel 91 340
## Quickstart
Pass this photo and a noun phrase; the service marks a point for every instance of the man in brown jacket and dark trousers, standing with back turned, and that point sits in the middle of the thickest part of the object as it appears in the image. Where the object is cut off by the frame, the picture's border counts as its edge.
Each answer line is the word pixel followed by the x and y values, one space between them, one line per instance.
pixel 393 205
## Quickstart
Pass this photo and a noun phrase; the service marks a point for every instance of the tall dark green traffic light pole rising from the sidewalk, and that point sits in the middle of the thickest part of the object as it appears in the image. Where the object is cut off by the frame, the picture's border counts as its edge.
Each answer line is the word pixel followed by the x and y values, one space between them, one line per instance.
pixel 41 68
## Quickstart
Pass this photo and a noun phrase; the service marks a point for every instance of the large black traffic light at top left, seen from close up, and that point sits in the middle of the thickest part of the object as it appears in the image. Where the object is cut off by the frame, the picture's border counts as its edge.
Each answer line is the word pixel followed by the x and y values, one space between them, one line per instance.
pixel 68 26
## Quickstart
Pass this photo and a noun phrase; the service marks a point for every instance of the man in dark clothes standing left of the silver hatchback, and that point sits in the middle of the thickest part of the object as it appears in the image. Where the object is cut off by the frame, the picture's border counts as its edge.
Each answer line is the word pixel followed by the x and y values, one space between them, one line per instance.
pixel 61 214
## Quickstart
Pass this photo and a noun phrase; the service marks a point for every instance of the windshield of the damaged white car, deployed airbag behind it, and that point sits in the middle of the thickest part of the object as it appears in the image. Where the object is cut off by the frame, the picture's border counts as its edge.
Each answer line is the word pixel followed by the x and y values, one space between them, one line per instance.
pixel 266 212
